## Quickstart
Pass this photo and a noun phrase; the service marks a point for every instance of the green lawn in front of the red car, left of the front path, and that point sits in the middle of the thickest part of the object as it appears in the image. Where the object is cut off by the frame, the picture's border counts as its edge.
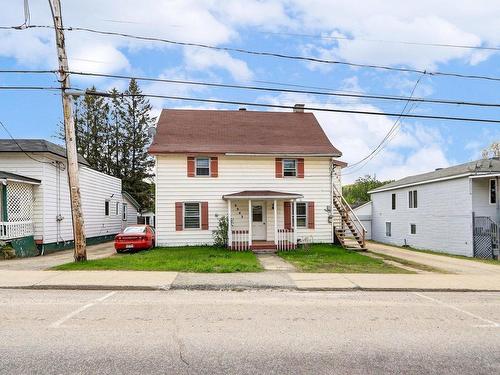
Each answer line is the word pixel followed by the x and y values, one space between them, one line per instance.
pixel 182 259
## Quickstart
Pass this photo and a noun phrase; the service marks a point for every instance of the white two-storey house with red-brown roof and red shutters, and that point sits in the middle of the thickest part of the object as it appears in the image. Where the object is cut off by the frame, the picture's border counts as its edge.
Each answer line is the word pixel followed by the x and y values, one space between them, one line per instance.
pixel 274 175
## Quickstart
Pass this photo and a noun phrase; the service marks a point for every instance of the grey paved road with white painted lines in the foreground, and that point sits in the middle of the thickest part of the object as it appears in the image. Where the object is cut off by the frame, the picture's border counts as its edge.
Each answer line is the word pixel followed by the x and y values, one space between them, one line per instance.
pixel 254 332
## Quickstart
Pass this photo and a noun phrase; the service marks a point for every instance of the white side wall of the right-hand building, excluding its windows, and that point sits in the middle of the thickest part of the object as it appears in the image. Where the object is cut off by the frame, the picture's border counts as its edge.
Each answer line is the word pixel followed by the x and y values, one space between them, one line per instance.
pixel 443 219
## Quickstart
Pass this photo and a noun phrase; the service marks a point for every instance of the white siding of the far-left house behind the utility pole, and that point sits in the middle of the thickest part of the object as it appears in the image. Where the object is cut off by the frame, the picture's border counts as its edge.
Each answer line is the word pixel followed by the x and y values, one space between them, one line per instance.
pixel 51 197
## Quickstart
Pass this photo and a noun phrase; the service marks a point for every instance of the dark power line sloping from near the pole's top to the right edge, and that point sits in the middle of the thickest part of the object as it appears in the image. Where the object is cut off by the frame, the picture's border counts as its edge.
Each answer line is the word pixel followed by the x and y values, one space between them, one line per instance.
pixel 275 54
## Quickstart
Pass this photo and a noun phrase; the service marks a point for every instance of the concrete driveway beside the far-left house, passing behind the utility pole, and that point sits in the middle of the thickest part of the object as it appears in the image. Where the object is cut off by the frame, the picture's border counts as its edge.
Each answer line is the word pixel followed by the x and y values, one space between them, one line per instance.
pixel 44 262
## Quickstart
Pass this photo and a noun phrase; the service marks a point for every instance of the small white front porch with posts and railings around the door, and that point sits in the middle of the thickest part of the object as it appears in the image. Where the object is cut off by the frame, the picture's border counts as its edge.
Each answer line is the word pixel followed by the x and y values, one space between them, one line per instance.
pixel 262 221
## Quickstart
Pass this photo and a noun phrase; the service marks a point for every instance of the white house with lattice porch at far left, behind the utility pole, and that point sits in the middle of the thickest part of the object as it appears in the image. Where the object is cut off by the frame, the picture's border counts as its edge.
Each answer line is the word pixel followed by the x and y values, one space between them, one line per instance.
pixel 35 204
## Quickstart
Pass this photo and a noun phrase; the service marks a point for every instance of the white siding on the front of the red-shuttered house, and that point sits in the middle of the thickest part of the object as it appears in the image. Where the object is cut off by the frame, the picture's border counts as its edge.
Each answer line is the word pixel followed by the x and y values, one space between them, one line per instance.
pixel 238 173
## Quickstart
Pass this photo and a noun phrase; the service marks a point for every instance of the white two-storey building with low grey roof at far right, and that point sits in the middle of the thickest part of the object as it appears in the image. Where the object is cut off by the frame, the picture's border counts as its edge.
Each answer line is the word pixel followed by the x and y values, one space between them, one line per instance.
pixel 454 210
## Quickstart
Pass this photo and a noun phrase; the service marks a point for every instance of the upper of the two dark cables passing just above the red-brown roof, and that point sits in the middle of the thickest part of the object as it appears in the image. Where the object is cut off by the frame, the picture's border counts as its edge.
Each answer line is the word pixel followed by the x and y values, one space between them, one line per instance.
pixel 271 89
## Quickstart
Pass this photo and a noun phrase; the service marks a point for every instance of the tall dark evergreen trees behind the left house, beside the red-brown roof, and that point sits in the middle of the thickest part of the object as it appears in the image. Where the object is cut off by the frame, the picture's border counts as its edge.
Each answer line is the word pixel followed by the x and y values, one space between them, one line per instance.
pixel 112 135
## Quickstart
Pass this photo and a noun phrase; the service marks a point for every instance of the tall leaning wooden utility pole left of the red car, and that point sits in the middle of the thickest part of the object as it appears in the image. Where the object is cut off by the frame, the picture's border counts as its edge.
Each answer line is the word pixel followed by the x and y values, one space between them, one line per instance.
pixel 80 252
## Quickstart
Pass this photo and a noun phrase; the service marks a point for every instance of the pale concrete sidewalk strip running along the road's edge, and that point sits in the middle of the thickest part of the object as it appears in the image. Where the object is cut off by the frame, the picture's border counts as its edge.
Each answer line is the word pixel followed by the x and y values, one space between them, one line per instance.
pixel 141 280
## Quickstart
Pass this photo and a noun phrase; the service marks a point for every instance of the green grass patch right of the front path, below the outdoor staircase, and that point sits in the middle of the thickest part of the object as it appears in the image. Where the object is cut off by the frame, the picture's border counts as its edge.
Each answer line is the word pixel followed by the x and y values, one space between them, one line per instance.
pixel 328 258
